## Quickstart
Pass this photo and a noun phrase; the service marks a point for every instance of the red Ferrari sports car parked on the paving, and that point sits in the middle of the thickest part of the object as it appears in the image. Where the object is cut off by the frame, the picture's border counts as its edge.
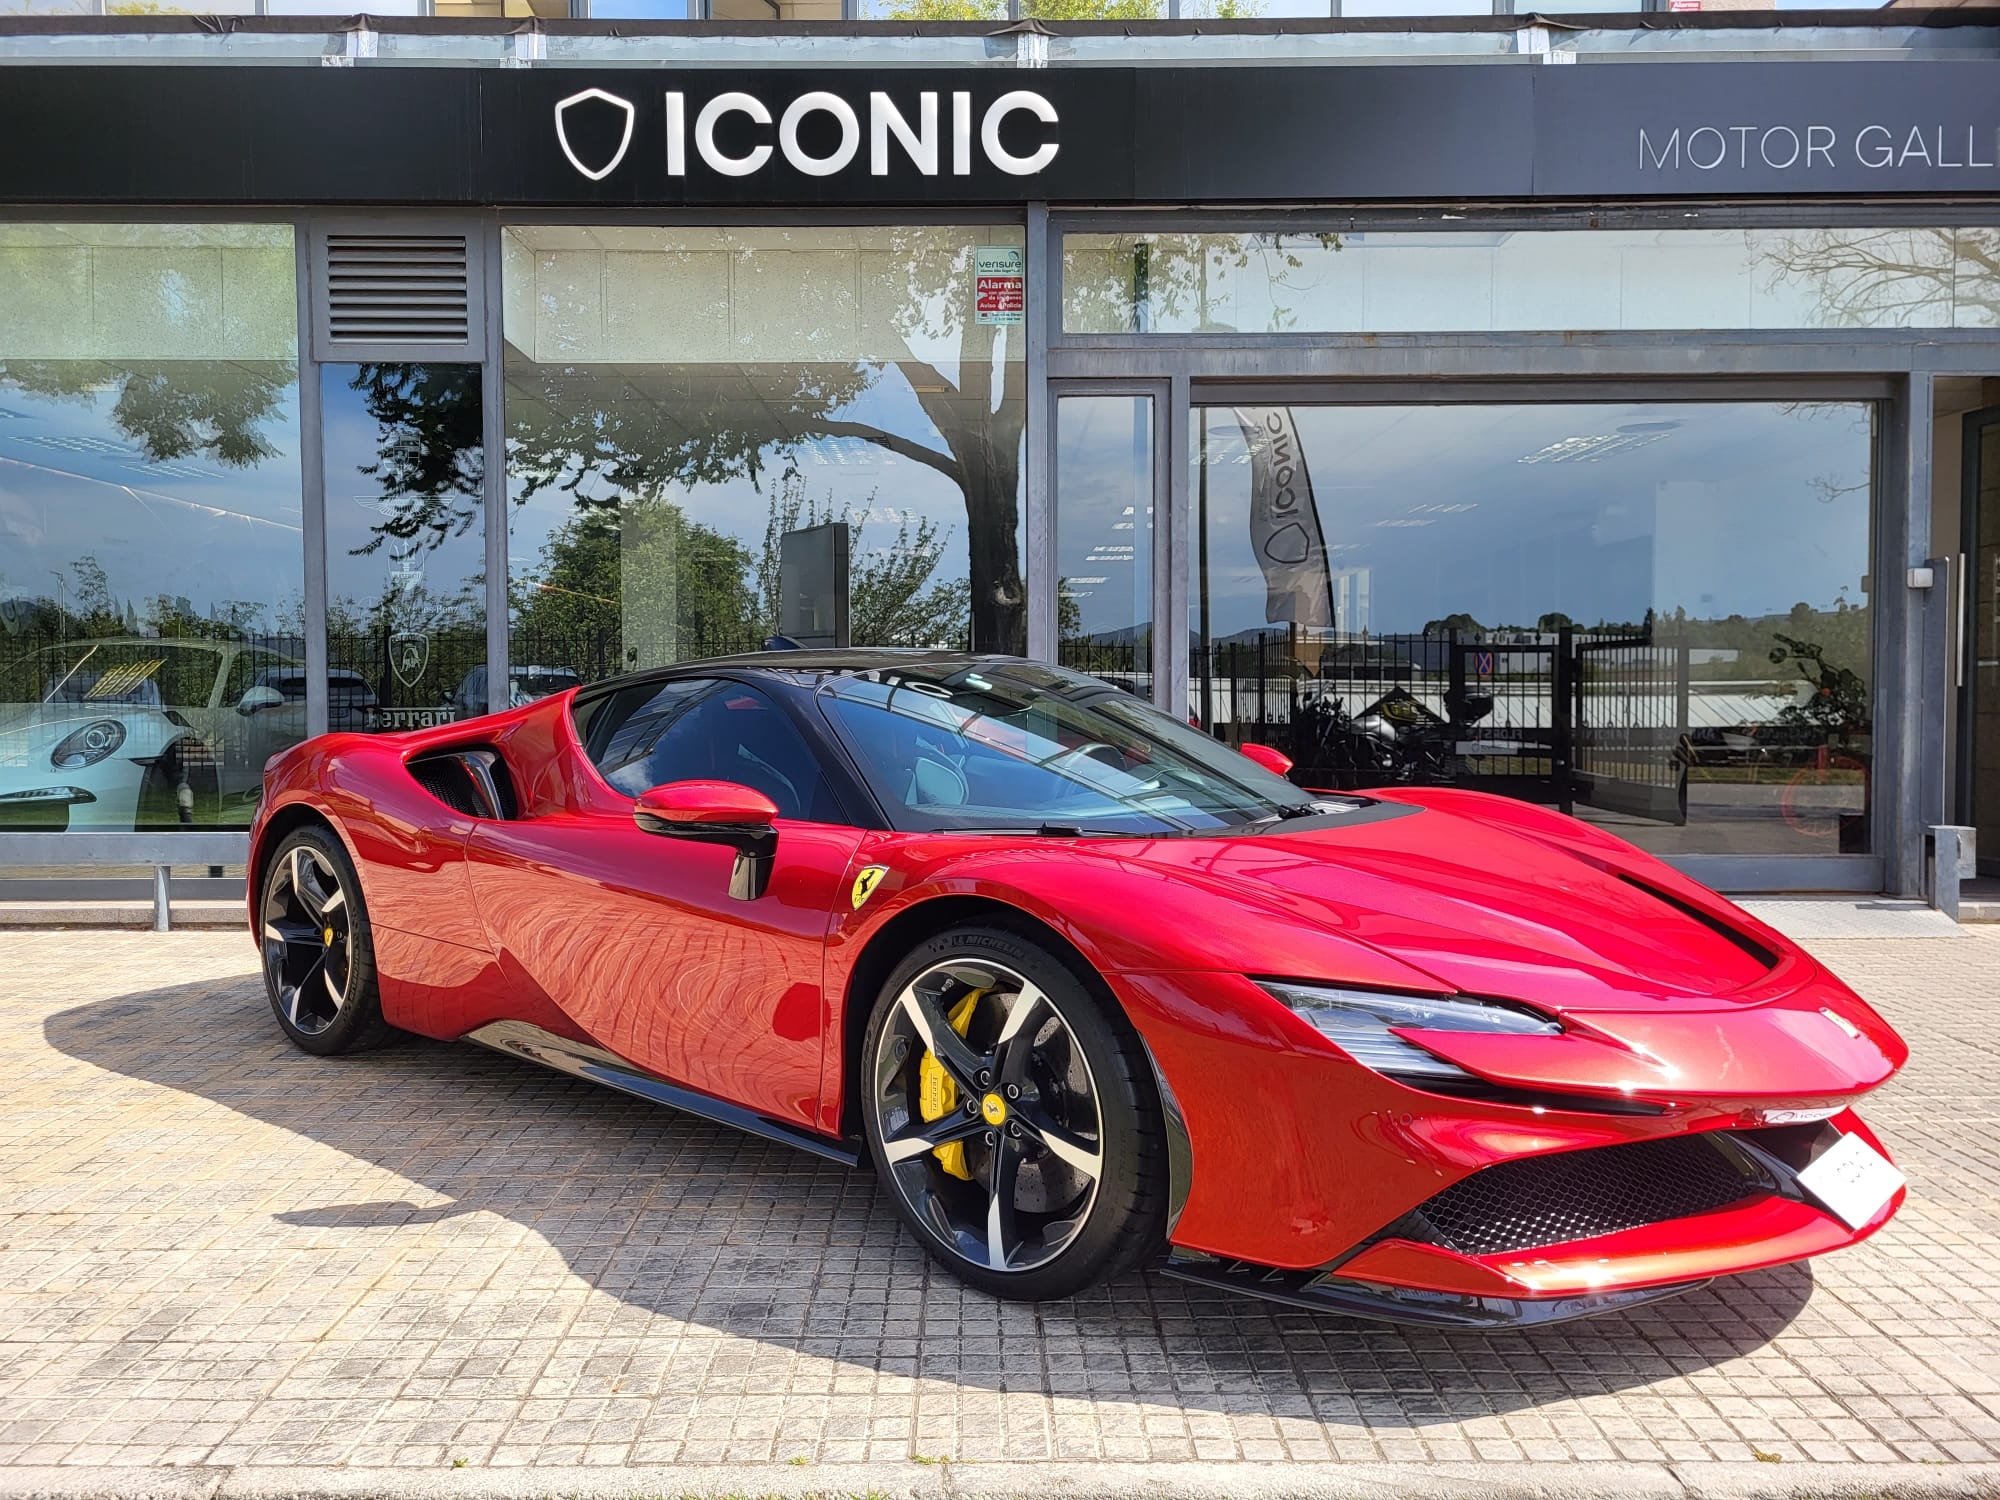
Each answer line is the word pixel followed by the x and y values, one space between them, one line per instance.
pixel 1089 989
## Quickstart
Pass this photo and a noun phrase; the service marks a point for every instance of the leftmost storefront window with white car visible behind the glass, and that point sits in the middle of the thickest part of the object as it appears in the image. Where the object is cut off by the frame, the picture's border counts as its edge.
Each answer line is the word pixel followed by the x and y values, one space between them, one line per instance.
pixel 151 551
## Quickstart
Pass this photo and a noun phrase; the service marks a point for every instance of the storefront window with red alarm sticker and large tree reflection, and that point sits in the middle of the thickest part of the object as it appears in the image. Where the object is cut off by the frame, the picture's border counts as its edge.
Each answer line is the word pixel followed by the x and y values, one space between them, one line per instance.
pixel 727 437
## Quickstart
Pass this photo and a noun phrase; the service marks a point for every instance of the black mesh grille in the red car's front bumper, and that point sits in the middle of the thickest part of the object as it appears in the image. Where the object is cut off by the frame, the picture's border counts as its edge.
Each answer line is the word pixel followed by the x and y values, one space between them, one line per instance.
pixel 1579 1195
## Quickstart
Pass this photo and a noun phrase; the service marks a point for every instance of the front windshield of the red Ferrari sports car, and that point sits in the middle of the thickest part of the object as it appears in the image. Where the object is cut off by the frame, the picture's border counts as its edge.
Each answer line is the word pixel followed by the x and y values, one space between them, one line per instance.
pixel 1013 745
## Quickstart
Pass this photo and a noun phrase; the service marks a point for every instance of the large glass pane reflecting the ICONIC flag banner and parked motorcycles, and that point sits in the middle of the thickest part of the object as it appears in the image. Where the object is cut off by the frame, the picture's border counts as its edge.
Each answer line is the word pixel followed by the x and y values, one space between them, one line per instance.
pixel 1653 615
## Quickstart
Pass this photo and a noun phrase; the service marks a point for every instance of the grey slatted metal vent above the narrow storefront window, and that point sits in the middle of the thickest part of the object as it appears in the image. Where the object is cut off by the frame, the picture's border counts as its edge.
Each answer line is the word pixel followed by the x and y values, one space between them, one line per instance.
pixel 397 289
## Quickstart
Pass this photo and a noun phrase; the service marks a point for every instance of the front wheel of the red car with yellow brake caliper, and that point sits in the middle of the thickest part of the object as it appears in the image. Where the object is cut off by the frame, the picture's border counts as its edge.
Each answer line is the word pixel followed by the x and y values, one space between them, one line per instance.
pixel 1013 1117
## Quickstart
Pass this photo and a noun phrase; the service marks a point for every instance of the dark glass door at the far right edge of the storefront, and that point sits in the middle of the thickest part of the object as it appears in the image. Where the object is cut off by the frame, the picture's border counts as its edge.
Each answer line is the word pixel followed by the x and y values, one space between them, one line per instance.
pixel 1979 751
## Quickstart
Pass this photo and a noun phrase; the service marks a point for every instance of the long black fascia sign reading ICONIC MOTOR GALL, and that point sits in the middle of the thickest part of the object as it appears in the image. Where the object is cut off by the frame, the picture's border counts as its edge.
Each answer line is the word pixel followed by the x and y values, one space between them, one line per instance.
pixel 849 137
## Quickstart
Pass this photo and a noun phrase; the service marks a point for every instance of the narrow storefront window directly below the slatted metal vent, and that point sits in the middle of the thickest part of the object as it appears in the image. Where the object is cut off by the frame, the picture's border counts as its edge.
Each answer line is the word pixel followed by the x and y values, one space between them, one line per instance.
pixel 405 545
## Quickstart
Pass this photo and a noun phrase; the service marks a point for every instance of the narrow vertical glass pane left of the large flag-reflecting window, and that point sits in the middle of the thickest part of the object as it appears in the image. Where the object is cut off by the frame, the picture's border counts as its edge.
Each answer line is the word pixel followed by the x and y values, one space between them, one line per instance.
pixel 1111 465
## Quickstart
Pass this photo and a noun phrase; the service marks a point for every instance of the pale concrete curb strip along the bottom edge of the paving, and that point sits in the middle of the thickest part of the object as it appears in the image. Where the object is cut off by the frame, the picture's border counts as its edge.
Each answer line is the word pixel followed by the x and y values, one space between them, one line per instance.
pixel 1097 1481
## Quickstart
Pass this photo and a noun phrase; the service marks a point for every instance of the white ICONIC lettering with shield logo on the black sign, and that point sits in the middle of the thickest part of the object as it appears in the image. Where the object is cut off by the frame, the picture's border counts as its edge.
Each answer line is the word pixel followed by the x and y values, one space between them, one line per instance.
pixel 891 135
